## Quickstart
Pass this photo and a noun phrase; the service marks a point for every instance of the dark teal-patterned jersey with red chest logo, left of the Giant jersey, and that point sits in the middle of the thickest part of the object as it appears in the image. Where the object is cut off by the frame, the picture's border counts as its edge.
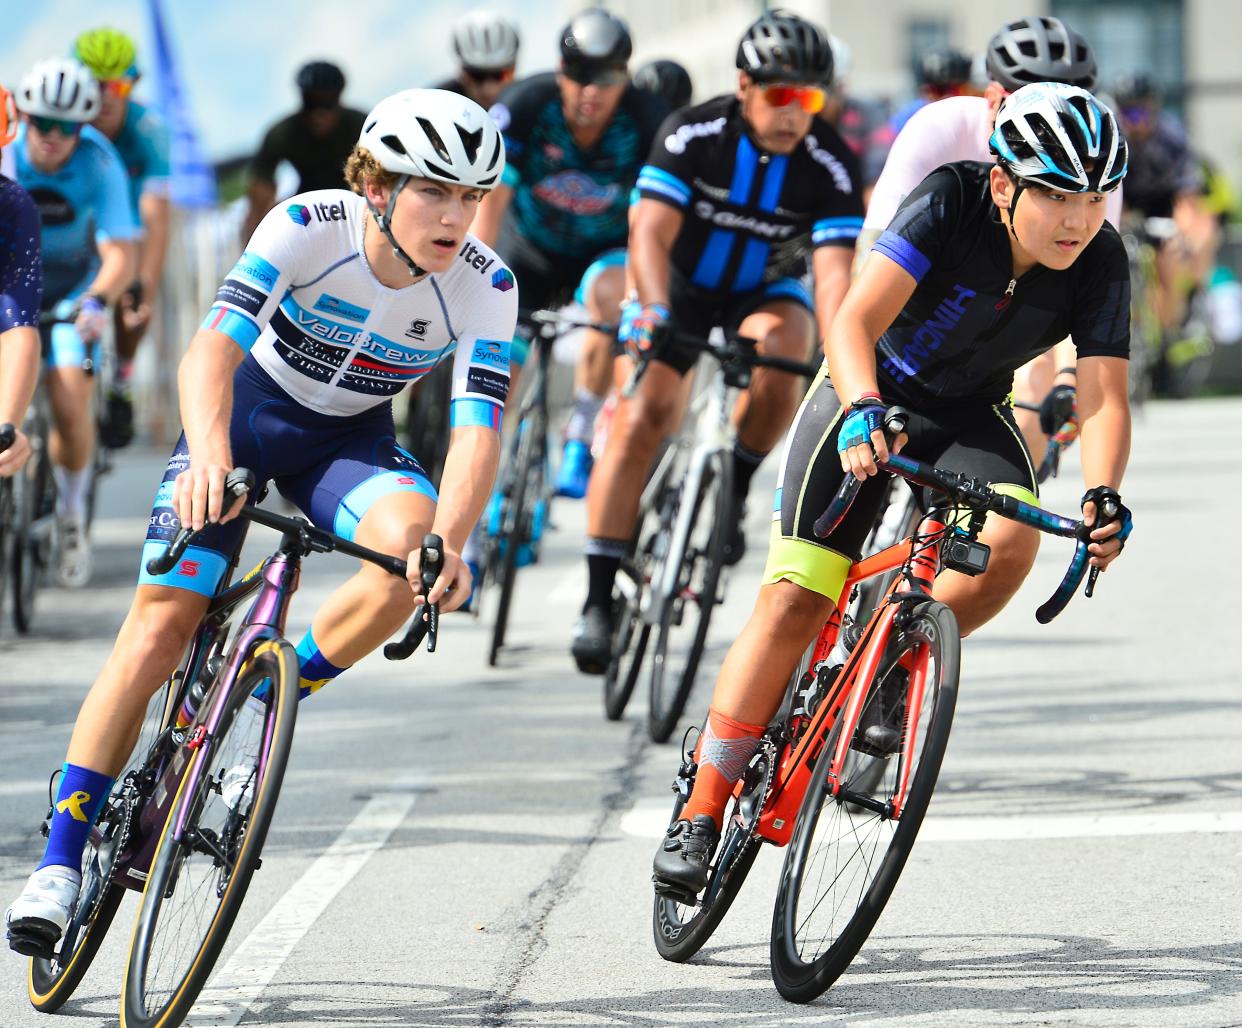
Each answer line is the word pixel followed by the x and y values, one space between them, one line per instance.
pixel 569 202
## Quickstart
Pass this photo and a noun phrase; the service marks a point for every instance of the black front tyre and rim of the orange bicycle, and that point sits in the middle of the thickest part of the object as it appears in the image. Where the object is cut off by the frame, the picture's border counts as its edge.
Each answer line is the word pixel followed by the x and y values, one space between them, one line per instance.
pixel 802 980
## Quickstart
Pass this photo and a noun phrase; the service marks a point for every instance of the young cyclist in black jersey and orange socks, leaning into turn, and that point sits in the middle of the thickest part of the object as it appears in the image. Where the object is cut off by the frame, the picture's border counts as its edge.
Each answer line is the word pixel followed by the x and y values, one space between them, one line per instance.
pixel 982 268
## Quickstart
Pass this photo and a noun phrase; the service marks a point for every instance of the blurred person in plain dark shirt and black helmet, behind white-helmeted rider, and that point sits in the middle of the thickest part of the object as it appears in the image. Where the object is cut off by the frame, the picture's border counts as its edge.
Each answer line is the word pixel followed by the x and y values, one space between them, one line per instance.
pixel 316 141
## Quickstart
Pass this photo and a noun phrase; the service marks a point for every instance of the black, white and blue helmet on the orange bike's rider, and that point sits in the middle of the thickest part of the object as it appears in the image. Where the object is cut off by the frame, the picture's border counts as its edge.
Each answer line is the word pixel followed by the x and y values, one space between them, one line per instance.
pixel 1060 137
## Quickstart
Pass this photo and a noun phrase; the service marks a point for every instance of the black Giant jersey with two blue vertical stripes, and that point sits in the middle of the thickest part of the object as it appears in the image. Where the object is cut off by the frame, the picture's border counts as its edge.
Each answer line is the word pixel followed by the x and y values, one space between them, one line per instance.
pixel 751 217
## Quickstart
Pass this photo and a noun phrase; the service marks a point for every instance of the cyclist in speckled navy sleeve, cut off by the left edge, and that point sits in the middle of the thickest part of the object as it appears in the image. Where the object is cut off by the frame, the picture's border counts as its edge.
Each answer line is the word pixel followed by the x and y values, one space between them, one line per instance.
pixel 22 291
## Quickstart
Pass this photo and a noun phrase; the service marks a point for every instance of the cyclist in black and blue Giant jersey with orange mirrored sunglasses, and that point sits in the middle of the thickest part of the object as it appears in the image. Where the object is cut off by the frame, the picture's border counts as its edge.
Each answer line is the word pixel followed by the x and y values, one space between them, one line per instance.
pixel 740 194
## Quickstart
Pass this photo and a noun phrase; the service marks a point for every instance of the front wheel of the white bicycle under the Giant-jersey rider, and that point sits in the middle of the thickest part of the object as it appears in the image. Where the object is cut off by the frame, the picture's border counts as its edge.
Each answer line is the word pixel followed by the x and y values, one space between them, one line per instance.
pixel 666 706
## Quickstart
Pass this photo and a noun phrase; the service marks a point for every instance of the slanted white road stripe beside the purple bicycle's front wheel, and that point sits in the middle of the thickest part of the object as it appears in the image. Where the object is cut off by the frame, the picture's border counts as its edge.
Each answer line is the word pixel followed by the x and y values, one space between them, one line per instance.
pixel 239 983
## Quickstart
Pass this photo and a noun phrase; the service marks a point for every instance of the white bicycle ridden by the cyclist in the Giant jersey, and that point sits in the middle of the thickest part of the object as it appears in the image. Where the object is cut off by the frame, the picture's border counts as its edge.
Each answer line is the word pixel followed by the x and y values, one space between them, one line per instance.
pixel 671 580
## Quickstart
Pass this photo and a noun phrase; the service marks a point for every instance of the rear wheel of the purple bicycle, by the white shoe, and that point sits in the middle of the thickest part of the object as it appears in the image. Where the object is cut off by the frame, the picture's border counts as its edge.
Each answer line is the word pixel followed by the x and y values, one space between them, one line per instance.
pixel 50 983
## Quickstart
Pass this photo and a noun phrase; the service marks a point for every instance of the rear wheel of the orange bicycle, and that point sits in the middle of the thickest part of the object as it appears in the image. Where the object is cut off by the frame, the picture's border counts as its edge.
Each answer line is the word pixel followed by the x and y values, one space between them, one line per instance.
pixel 681 931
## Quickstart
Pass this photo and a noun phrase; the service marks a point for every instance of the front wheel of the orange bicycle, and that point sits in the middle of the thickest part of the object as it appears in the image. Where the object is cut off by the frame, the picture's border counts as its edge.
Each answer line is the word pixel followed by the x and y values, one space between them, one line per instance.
pixel 850 846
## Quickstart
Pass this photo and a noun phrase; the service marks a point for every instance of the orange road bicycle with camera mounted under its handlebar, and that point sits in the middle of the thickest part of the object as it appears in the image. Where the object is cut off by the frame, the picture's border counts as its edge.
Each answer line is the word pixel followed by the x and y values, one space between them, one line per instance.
pixel 815 773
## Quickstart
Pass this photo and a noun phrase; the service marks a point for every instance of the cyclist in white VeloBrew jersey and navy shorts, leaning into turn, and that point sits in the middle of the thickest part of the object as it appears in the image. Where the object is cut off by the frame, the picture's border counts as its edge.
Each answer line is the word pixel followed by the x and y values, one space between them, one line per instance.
pixel 340 302
